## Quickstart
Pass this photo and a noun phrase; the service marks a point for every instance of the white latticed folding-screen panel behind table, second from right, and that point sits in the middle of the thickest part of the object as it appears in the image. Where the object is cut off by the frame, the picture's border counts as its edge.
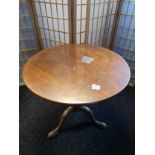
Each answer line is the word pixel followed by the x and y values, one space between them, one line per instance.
pixel 100 21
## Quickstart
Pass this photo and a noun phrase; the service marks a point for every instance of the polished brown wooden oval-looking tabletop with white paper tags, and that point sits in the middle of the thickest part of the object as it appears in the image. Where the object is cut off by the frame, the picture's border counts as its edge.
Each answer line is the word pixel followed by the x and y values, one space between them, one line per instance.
pixel 76 74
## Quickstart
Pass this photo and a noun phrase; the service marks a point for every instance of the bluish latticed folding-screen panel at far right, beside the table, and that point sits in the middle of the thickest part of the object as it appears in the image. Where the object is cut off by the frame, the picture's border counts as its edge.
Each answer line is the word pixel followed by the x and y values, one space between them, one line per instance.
pixel 124 43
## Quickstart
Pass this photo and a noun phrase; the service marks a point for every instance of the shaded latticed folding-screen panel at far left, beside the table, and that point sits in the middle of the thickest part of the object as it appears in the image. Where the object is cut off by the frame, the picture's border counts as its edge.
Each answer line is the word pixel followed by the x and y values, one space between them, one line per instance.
pixel 28 39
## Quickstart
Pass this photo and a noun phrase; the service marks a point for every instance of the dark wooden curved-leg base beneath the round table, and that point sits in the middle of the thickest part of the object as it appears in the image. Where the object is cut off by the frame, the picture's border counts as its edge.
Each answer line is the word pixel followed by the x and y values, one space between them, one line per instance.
pixel 70 109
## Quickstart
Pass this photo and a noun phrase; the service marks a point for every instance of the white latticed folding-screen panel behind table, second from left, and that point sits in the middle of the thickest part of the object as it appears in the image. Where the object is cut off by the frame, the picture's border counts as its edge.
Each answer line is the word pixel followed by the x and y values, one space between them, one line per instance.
pixel 53 17
